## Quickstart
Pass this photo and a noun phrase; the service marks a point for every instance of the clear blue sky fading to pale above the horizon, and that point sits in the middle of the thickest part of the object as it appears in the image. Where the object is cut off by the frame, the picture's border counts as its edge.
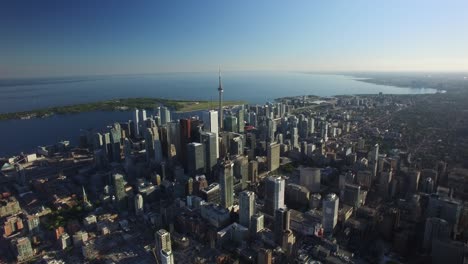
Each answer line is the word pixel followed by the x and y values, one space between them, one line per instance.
pixel 63 38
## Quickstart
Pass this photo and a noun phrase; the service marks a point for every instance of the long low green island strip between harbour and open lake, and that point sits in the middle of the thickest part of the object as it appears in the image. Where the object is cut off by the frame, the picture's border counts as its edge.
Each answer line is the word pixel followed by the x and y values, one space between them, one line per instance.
pixel 116 105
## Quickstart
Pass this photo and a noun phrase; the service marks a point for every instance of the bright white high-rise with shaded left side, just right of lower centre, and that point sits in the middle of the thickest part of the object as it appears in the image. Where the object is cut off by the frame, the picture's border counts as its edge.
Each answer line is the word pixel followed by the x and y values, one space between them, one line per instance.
pixel 274 194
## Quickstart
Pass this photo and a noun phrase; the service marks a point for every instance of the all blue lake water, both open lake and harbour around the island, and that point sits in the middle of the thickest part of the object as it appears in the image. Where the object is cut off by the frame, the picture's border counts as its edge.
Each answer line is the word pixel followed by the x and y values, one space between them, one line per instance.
pixel 253 87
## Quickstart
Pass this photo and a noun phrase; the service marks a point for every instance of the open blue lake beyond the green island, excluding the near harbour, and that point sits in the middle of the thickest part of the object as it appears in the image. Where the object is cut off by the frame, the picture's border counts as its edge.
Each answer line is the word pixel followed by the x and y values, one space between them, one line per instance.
pixel 253 87
